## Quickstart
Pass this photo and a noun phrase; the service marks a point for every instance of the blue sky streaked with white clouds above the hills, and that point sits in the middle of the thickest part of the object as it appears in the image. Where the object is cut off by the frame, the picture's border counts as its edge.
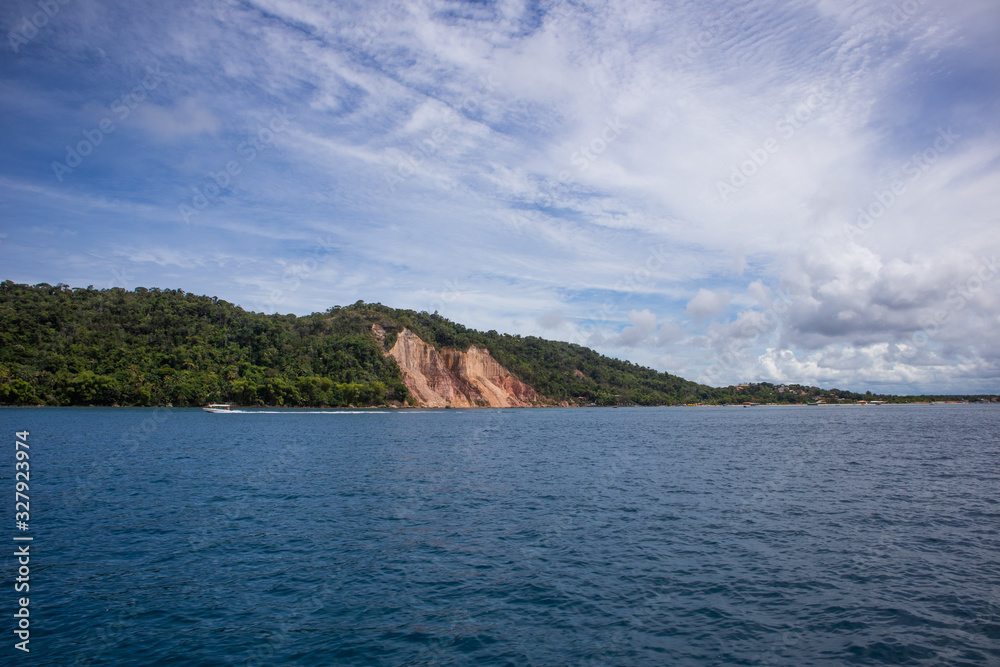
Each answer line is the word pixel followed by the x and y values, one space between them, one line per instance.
pixel 793 192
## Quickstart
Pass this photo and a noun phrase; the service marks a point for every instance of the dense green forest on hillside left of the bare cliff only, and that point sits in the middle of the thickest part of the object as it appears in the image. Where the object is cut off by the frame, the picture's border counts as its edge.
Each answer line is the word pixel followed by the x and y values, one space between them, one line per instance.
pixel 62 346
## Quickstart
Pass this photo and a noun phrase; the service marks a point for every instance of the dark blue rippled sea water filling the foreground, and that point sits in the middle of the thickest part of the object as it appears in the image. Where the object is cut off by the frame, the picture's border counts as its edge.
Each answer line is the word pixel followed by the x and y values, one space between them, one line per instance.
pixel 647 536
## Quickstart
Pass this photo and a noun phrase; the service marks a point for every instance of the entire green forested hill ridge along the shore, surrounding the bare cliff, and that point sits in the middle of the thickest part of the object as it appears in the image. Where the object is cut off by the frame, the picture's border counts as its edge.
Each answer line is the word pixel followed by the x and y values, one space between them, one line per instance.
pixel 76 346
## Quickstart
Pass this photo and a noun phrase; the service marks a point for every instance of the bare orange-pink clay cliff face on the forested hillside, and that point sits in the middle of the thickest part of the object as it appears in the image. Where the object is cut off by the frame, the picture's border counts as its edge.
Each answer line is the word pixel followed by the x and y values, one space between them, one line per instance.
pixel 469 379
